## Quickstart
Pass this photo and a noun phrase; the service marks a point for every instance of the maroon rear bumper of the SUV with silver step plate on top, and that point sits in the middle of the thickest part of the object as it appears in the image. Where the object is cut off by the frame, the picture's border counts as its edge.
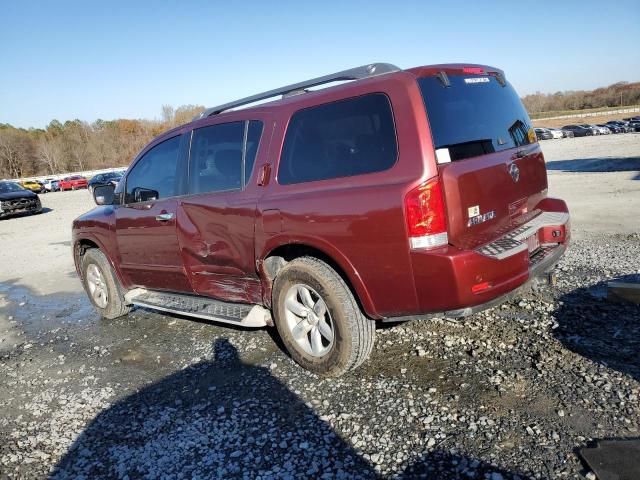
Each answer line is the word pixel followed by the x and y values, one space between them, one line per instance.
pixel 456 283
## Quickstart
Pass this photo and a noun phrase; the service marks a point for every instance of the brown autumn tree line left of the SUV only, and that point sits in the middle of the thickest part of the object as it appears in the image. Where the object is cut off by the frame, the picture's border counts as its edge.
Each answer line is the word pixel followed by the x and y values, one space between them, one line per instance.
pixel 76 145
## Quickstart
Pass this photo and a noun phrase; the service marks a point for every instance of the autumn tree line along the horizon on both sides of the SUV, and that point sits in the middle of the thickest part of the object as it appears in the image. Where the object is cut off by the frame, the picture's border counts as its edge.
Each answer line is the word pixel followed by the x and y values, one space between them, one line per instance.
pixel 76 145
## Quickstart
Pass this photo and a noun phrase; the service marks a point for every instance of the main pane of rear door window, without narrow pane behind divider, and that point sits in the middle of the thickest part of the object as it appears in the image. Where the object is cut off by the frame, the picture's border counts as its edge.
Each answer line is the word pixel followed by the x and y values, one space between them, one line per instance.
pixel 216 158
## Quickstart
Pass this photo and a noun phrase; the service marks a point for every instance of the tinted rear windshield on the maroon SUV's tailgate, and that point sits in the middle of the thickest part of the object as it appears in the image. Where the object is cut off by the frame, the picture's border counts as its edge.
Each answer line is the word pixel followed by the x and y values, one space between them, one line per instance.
pixel 475 115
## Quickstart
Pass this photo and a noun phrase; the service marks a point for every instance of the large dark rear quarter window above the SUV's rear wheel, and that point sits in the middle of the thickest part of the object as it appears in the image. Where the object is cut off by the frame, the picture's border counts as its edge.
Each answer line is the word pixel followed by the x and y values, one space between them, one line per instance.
pixel 339 139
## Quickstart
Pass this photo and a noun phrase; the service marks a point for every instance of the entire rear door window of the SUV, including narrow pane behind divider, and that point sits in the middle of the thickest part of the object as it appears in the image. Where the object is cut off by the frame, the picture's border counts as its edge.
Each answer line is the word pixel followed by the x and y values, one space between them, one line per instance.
pixel 217 154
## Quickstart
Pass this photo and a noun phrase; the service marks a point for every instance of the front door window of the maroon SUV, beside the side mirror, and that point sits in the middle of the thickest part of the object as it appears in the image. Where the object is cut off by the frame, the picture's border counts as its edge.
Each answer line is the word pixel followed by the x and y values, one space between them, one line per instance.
pixel 154 175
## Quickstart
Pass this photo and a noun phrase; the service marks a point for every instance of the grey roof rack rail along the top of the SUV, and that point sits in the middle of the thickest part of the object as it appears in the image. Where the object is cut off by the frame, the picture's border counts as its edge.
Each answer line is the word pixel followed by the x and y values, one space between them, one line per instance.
pixel 358 73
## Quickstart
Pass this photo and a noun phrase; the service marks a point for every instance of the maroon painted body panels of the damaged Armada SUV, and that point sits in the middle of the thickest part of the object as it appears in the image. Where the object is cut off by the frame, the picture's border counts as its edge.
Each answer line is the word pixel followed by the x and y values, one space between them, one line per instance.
pixel 221 239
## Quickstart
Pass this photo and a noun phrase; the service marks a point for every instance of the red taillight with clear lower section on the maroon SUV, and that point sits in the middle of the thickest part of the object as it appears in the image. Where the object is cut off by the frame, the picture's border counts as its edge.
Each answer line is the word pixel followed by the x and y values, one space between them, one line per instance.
pixel 426 218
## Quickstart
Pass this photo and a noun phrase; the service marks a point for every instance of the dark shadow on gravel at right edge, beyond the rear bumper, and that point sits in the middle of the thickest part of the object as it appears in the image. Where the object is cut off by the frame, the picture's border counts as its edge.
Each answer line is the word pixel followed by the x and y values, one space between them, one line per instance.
pixel 599 329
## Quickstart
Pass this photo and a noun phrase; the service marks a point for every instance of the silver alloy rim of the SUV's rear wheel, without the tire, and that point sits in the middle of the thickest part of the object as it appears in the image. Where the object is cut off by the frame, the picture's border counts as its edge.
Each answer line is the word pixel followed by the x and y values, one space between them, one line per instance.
pixel 309 320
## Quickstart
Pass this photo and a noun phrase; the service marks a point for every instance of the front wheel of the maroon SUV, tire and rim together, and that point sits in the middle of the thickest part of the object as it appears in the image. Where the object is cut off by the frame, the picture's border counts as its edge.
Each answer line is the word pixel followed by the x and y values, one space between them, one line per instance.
pixel 102 286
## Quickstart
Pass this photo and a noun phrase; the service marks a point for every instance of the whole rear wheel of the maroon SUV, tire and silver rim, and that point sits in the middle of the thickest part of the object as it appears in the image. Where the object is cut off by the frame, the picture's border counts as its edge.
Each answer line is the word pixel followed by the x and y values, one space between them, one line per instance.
pixel 319 319
